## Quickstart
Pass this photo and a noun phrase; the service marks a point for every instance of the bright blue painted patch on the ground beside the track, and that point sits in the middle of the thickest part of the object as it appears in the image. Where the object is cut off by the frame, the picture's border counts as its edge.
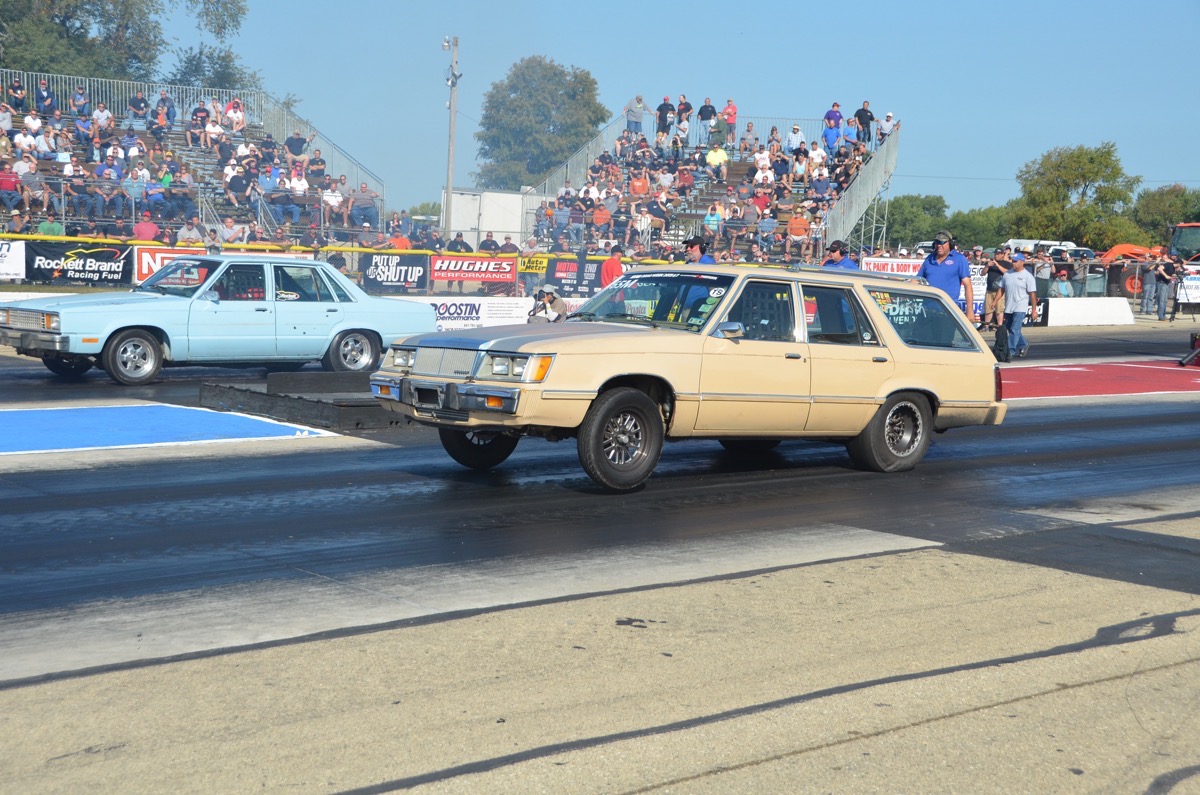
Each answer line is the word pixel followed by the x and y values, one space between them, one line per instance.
pixel 32 431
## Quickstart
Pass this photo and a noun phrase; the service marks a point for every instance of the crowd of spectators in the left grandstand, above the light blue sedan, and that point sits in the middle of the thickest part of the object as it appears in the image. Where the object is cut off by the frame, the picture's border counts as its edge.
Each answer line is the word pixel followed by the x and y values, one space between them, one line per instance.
pixel 95 168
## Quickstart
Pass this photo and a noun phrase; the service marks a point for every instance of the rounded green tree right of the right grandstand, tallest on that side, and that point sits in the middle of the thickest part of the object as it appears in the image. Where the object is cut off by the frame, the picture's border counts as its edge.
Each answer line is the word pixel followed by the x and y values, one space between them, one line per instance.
pixel 1075 194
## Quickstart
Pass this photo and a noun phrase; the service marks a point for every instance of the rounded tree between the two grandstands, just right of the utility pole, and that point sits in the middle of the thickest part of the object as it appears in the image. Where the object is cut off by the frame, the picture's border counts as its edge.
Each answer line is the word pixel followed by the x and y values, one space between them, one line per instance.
pixel 535 121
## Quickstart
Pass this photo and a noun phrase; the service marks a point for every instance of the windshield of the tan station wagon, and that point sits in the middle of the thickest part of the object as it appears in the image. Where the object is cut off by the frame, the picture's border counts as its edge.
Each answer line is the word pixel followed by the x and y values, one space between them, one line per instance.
pixel 679 301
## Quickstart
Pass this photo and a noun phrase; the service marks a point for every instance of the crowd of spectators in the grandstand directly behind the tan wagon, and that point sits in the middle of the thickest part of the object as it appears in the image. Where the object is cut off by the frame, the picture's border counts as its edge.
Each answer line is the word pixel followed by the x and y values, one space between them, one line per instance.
pixel 680 166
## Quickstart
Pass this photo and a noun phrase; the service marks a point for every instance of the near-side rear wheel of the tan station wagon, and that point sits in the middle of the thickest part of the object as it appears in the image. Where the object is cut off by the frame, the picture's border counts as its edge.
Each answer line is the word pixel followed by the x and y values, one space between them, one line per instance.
pixel 897 438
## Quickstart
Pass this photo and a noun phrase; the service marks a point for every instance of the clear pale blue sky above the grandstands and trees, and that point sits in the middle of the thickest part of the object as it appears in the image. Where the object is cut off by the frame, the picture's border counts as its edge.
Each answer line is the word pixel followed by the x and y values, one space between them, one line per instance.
pixel 980 88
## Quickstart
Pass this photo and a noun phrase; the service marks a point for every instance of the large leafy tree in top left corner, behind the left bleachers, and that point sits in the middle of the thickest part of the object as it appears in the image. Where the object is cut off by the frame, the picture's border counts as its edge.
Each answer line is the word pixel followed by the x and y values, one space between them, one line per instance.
pixel 115 39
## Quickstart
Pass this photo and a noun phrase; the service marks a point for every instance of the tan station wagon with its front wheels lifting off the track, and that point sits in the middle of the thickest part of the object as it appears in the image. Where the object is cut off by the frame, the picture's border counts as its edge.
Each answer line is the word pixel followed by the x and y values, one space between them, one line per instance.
pixel 747 356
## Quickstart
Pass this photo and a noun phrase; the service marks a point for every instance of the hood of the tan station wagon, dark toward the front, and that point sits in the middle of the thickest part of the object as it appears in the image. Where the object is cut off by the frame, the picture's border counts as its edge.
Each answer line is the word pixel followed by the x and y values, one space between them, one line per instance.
pixel 555 338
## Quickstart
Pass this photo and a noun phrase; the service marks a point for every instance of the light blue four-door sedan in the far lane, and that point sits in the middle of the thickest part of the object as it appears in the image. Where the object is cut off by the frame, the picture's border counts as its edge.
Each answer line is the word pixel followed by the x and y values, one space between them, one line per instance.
pixel 227 312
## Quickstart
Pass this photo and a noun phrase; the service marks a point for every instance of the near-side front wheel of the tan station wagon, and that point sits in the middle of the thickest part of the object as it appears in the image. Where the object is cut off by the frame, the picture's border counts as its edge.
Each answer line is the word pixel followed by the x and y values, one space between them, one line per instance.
pixel 621 439
